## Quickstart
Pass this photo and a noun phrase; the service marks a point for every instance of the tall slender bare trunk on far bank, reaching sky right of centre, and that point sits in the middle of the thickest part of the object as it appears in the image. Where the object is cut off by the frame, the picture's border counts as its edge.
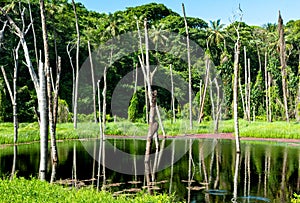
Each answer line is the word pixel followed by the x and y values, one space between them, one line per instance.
pixel 189 66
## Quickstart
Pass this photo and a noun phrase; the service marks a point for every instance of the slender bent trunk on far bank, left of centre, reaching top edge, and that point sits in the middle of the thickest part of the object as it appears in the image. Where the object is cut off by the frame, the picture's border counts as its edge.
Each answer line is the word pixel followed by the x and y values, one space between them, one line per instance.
pixel 77 66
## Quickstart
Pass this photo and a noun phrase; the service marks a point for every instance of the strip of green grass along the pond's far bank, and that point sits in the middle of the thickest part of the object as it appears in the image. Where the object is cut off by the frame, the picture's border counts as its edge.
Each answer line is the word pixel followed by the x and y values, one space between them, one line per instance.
pixel 29 132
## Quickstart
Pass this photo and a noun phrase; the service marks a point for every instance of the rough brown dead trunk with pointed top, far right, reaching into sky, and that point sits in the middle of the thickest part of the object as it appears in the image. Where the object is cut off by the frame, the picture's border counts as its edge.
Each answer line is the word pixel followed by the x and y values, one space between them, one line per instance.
pixel 283 65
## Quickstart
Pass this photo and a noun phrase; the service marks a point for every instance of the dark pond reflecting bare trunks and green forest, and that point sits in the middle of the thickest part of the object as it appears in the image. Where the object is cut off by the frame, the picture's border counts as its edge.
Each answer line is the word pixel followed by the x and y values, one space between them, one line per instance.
pixel 203 170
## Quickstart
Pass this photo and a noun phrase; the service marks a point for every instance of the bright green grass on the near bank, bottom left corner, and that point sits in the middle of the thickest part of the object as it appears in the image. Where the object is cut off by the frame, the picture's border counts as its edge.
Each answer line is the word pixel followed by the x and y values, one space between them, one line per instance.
pixel 22 190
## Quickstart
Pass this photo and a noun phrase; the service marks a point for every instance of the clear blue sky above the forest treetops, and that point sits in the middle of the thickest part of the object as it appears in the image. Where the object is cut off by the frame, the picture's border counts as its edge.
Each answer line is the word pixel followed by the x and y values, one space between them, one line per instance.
pixel 256 12
